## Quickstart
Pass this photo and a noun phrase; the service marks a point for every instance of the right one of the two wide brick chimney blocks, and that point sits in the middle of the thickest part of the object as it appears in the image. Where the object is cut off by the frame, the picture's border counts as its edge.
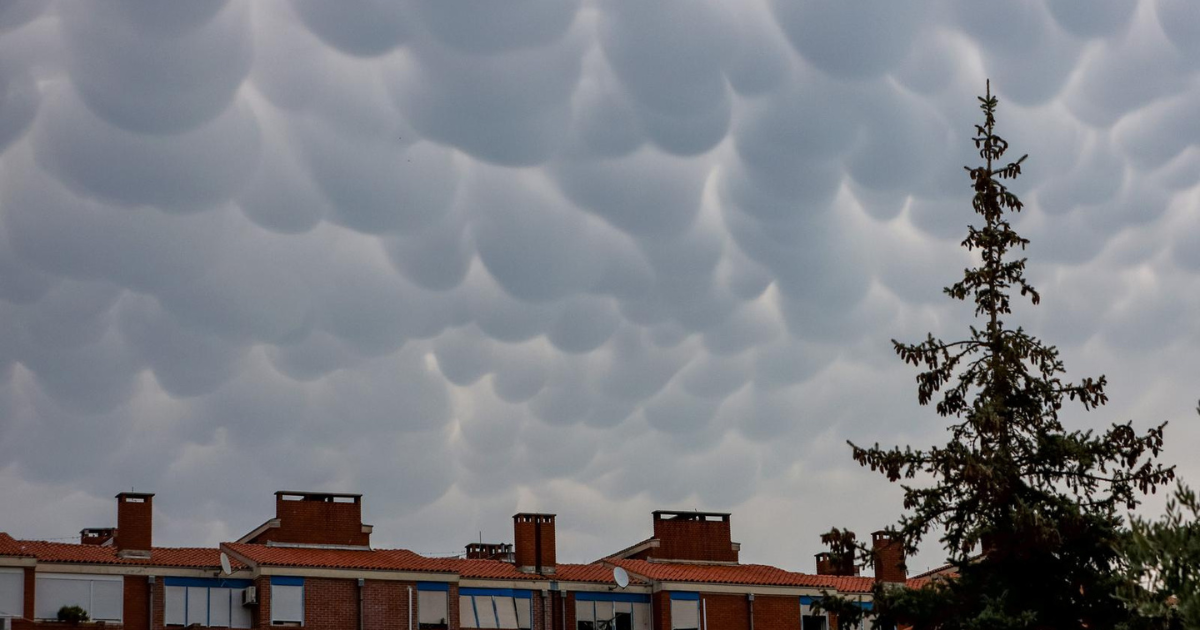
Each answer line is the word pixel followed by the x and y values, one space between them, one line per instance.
pixel 703 537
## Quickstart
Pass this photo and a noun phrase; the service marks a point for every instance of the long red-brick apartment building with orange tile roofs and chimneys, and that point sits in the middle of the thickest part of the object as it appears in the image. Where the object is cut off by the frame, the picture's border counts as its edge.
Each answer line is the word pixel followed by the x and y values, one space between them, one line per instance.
pixel 313 567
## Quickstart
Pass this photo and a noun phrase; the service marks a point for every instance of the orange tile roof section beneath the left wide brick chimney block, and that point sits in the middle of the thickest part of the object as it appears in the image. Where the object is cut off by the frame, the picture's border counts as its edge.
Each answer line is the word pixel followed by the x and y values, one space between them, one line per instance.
pixel 321 559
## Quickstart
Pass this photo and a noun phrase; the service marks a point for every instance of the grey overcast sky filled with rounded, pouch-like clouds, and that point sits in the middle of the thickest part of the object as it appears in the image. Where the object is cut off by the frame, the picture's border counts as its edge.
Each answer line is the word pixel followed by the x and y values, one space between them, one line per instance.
pixel 589 257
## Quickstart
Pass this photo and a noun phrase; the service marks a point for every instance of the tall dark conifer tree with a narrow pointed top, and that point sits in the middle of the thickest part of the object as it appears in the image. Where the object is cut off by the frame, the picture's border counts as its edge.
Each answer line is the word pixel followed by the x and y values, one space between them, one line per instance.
pixel 1028 509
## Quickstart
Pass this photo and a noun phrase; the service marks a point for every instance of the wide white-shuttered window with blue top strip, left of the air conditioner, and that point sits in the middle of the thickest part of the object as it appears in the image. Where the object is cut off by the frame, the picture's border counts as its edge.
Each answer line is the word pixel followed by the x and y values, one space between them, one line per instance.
pixel 205 602
